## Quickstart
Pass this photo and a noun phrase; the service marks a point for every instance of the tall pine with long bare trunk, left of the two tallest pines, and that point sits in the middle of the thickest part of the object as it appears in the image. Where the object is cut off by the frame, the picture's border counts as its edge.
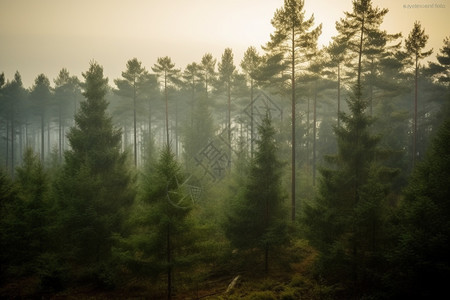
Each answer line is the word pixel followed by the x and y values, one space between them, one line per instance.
pixel 295 38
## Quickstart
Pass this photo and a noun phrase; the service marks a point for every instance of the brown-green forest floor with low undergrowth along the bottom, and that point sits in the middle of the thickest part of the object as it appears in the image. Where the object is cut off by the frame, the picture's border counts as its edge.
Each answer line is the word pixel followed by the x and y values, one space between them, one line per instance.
pixel 288 278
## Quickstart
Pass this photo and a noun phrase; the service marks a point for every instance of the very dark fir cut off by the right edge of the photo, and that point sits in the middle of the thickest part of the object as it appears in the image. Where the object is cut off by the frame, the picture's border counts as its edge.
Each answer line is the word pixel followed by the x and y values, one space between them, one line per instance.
pixel 420 262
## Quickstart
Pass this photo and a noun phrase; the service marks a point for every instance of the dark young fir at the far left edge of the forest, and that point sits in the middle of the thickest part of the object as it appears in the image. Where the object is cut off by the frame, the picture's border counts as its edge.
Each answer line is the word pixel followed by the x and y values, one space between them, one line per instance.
pixel 25 216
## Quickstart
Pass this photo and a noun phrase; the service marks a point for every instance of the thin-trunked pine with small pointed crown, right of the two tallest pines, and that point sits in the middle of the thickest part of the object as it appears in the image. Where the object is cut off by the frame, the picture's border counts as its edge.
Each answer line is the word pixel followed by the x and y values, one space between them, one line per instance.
pixel 414 44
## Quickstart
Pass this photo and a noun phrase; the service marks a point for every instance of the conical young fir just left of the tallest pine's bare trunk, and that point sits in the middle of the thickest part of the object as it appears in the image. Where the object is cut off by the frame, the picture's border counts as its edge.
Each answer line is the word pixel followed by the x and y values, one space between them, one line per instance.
pixel 257 218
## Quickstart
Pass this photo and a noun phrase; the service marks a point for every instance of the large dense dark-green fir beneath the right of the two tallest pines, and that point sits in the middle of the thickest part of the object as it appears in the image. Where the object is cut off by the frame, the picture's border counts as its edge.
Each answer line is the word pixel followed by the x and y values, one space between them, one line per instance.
pixel 346 224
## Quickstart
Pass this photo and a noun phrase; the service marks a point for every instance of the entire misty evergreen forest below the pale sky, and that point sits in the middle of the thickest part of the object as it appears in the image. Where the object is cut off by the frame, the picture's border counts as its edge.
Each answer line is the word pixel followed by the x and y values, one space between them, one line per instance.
pixel 299 172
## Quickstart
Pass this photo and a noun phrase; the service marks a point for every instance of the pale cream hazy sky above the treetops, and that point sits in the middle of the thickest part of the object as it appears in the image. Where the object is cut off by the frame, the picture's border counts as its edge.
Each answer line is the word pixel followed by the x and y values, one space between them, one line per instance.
pixel 43 36
